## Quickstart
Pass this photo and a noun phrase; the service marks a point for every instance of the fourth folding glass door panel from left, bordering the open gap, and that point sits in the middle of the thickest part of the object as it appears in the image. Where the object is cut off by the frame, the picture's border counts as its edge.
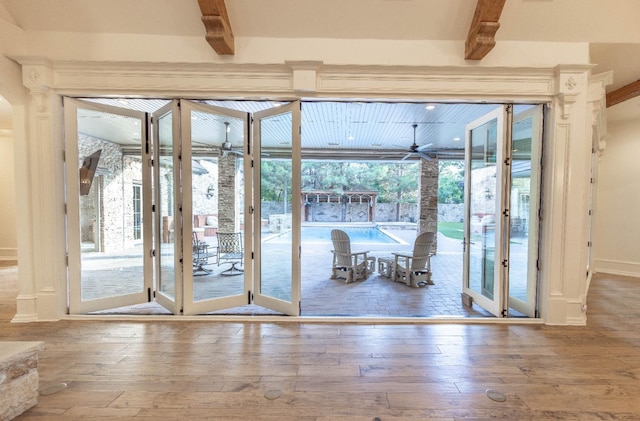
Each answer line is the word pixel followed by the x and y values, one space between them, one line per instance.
pixel 277 145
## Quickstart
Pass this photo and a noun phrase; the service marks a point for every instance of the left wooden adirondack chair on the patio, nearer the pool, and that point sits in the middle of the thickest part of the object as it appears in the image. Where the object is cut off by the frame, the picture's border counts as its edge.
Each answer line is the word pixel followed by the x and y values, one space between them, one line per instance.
pixel 348 265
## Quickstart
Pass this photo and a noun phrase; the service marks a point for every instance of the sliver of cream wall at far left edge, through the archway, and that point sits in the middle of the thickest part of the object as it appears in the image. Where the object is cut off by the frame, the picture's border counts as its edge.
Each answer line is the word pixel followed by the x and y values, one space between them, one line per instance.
pixel 8 242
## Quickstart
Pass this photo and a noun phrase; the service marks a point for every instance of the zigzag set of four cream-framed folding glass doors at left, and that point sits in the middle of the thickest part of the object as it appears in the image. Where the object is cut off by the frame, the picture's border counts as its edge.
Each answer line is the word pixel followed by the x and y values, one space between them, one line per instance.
pixel 199 174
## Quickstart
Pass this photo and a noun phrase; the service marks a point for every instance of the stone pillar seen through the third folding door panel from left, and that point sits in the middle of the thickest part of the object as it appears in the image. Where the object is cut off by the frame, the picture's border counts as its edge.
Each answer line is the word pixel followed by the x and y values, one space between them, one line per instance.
pixel 227 197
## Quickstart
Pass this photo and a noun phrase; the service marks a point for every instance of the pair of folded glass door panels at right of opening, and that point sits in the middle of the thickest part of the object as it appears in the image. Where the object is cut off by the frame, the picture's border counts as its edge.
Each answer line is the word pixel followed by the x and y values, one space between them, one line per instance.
pixel 502 184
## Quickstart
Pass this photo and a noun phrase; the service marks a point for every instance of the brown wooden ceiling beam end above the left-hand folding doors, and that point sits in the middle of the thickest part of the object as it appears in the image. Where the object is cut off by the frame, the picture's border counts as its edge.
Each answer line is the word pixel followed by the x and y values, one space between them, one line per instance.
pixel 216 22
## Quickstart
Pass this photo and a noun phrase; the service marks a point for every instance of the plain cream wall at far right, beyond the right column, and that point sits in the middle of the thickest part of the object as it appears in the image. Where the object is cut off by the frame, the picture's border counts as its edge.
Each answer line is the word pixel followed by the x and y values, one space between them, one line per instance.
pixel 617 235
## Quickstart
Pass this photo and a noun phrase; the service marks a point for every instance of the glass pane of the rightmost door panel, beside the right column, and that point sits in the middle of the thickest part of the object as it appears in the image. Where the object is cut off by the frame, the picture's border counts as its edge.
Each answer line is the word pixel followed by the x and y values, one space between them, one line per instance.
pixel 520 263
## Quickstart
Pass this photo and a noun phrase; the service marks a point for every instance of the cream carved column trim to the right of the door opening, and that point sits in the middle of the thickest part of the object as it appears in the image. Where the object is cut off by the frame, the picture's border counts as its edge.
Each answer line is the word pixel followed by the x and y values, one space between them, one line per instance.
pixel 566 200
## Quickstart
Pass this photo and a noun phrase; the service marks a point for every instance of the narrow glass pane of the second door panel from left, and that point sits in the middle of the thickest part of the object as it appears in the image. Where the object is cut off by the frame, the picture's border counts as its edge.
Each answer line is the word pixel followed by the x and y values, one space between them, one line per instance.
pixel 165 207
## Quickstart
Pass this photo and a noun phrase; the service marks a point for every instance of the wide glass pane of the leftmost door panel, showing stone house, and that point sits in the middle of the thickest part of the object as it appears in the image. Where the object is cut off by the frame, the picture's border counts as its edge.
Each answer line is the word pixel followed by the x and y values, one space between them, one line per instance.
pixel 109 152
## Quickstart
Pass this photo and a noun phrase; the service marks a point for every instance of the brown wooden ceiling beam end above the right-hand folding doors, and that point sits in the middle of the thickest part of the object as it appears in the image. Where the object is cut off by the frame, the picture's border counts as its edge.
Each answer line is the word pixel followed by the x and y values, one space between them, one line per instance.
pixel 485 24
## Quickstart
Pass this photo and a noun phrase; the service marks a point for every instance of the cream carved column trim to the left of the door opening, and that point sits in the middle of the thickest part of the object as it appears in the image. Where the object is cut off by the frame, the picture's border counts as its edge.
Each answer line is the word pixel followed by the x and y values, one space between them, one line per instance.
pixel 40 200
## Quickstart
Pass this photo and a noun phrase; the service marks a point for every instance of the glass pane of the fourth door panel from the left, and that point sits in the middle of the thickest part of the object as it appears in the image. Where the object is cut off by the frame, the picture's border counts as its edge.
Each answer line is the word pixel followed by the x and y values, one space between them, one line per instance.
pixel 275 208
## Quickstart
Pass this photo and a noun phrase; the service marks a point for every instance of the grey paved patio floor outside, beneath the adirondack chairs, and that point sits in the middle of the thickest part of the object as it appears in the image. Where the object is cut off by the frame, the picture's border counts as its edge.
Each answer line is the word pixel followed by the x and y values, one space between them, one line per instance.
pixel 377 296
